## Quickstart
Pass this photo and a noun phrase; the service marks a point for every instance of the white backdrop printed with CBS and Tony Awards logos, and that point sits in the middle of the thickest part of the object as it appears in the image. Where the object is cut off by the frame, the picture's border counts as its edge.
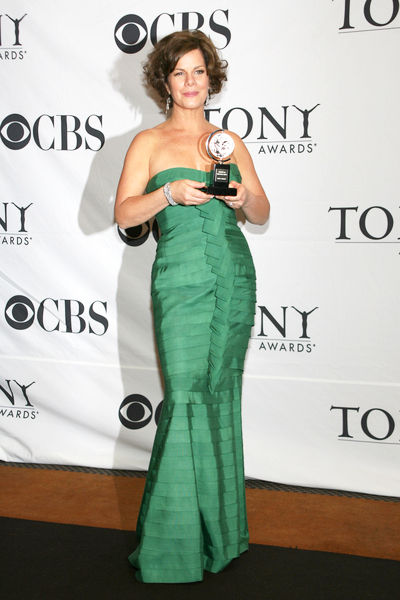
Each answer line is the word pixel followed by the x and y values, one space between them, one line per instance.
pixel 314 92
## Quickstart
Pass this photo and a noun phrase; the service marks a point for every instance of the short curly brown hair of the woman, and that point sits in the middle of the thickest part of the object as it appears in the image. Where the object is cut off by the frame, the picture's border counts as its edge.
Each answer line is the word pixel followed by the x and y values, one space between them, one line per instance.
pixel 166 53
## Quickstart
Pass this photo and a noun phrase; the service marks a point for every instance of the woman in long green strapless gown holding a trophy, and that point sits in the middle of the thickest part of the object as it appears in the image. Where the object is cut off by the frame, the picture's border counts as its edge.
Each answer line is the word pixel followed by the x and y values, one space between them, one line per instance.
pixel 193 513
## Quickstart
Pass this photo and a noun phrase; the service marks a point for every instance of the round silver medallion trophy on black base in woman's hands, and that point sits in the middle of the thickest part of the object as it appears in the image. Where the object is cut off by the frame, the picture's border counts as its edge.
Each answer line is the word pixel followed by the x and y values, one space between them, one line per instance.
pixel 220 147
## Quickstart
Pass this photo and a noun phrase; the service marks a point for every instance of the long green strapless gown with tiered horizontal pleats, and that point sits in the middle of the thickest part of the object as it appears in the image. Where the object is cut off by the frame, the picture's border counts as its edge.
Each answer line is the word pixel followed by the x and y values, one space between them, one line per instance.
pixel 193 511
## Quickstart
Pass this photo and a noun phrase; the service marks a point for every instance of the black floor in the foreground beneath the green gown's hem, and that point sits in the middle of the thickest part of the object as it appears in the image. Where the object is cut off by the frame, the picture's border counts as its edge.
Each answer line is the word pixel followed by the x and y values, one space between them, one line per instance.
pixel 43 561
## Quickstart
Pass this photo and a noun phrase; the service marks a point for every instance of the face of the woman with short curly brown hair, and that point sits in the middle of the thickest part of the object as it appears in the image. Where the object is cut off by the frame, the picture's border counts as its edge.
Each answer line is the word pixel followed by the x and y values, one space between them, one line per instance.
pixel 188 83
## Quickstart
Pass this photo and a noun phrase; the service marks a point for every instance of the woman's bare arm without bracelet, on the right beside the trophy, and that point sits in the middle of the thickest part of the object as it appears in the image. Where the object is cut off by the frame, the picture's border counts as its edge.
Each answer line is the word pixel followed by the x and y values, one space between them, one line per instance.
pixel 251 197
